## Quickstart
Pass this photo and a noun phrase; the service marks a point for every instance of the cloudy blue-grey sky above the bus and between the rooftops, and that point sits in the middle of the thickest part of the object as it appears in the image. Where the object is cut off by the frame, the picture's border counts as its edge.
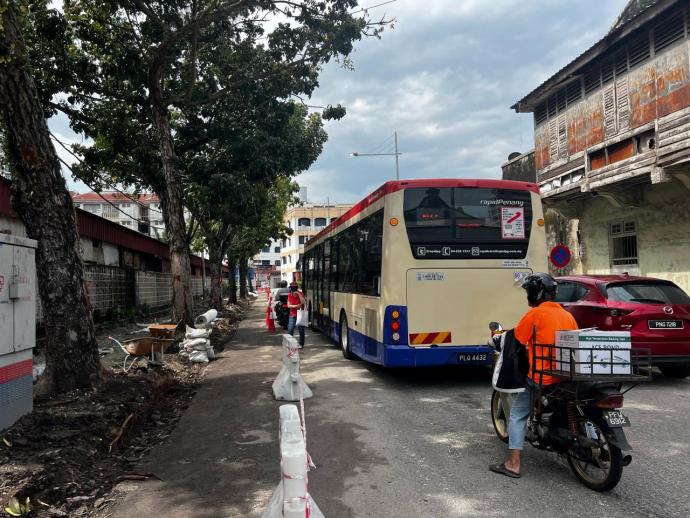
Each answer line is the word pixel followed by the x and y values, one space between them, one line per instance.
pixel 444 78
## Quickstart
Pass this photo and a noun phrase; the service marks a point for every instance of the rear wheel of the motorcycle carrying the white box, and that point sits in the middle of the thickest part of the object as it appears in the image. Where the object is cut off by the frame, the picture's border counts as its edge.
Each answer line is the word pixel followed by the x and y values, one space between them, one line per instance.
pixel 610 468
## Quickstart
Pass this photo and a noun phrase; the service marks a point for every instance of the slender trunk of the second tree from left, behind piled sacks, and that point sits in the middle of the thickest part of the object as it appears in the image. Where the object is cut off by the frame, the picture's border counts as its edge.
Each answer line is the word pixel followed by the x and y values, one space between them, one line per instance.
pixel 171 199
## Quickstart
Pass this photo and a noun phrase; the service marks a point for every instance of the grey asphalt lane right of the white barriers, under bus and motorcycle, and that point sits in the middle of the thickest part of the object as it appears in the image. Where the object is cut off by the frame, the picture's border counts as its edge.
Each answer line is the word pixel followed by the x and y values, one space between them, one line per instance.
pixel 418 443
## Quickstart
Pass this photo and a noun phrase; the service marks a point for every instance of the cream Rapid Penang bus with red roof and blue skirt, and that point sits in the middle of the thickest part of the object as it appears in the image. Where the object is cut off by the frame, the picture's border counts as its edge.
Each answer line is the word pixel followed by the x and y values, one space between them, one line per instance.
pixel 413 274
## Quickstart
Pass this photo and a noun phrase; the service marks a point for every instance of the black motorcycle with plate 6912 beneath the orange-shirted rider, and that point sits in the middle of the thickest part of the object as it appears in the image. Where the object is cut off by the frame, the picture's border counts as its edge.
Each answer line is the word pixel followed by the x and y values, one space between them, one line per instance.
pixel 580 420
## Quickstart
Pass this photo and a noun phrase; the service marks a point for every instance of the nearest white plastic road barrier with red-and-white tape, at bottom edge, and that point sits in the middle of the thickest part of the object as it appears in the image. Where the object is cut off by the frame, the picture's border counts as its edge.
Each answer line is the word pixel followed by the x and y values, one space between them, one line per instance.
pixel 291 498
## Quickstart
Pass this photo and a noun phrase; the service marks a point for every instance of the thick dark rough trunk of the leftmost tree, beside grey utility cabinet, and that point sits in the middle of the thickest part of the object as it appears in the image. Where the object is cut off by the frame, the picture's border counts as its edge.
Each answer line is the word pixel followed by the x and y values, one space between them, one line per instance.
pixel 40 197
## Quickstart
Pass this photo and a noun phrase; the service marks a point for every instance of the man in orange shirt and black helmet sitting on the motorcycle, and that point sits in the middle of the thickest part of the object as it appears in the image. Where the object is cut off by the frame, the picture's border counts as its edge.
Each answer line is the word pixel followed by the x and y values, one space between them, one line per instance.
pixel 546 317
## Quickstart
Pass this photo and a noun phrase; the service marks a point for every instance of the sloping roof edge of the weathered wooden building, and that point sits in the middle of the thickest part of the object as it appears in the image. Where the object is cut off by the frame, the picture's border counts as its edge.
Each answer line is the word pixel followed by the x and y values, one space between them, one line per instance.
pixel 632 11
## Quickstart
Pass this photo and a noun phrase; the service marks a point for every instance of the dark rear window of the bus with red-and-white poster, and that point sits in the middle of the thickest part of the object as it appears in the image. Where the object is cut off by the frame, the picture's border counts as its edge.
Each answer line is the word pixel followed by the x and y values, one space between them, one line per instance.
pixel 468 222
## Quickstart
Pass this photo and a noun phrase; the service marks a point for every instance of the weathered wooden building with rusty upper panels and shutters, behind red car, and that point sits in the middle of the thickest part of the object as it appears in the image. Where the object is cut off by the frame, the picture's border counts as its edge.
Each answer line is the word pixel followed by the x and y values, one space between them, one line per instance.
pixel 612 146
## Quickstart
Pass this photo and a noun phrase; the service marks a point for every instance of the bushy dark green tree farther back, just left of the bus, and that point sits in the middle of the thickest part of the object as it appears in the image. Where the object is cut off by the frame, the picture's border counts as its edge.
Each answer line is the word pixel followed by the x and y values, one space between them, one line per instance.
pixel 237 163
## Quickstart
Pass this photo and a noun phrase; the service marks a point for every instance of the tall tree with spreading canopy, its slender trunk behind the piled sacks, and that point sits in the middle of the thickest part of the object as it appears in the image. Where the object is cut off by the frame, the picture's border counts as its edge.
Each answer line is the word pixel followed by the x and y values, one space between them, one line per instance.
pixel 152 60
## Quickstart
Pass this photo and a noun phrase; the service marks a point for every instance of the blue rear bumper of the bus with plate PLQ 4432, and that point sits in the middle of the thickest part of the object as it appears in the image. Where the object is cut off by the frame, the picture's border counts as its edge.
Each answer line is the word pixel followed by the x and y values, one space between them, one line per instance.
pixel 406 356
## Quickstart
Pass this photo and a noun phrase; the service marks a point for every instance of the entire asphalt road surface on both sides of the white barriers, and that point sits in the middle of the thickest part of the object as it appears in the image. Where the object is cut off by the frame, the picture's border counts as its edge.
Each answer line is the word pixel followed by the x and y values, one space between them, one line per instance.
pixel 391 444
